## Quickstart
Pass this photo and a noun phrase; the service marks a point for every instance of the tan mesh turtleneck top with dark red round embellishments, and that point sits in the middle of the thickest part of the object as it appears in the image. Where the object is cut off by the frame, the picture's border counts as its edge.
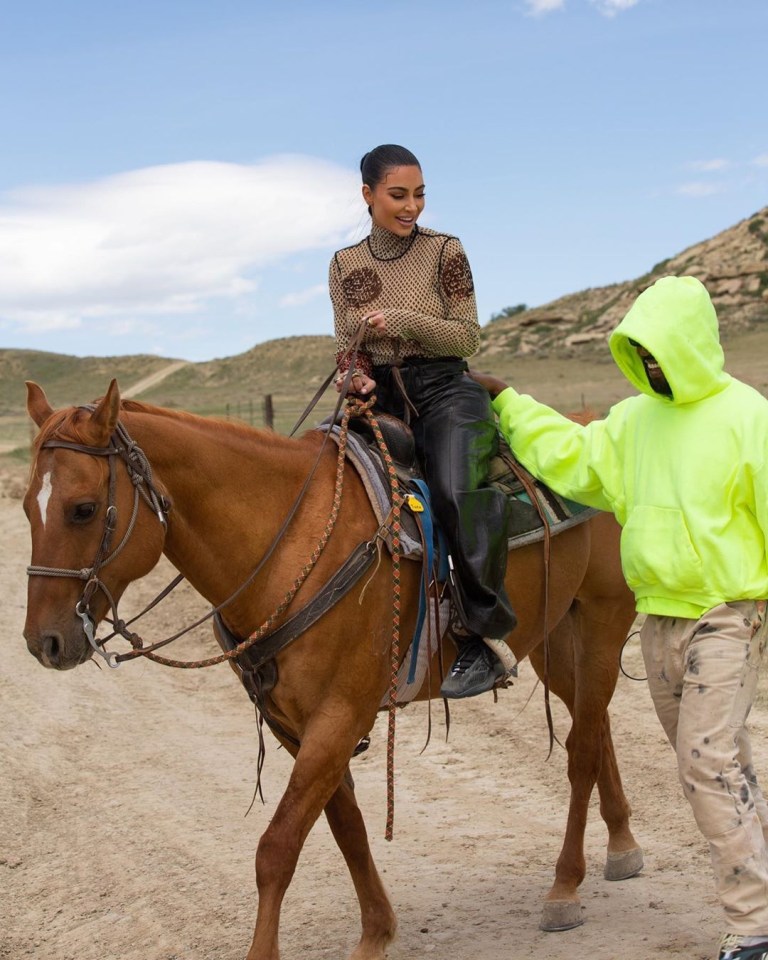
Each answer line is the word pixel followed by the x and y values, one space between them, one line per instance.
pixel 422 284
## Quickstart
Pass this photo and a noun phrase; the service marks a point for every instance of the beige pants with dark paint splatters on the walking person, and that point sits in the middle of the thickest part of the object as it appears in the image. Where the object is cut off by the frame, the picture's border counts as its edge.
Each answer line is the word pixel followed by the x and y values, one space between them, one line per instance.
pixel 702 675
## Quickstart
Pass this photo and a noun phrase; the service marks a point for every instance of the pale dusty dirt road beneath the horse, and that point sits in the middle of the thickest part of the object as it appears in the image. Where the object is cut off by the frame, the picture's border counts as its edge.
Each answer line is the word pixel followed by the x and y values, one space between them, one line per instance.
pixel 124 835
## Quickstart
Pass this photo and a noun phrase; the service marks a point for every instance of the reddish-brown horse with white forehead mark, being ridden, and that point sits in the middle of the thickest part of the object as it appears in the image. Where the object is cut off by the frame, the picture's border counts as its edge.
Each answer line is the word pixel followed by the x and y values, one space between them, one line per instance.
pixel 227 488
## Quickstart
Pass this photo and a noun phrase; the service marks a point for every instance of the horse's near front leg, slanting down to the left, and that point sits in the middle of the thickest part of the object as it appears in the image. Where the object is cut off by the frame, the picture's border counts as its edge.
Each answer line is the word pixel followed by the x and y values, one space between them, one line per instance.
pixel 327 744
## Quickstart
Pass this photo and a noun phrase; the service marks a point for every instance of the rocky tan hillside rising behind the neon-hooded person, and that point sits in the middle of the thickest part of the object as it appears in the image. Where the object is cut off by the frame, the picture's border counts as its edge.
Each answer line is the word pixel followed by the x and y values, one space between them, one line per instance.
pixel 733 264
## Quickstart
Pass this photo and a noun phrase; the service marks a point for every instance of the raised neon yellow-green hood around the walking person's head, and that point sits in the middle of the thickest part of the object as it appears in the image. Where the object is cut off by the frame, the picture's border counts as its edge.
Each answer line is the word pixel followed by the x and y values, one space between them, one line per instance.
pixel 674 319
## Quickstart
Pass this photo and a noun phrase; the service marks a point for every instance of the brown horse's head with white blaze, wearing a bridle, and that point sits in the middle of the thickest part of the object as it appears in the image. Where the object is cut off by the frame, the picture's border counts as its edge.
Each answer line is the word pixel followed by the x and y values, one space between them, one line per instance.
pixel 91 535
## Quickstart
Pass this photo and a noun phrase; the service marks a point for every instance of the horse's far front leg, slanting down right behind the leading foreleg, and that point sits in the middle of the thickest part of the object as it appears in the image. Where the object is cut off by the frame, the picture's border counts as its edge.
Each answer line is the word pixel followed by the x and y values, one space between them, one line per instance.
pixel 348 828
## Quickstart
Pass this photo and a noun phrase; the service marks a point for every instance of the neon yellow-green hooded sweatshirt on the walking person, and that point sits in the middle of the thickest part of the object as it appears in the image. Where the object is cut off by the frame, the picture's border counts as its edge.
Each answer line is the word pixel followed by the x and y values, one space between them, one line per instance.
pixel 685 475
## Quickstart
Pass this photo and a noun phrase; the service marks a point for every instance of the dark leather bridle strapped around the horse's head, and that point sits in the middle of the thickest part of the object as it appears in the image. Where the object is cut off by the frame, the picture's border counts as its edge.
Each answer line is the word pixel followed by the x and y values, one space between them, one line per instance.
pixel 122 447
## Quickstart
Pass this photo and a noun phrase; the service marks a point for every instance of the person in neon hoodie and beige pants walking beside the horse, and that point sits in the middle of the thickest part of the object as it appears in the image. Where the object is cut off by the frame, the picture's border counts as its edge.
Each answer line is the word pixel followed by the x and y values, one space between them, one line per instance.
pixel 684 468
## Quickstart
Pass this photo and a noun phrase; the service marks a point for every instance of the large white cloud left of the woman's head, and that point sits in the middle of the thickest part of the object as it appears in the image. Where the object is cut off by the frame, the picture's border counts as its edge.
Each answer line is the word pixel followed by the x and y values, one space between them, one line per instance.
pixel 166 239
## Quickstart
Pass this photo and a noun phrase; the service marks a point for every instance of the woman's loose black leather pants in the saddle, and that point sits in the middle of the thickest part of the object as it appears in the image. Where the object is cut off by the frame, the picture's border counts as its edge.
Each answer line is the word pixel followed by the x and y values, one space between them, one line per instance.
pixel 455 435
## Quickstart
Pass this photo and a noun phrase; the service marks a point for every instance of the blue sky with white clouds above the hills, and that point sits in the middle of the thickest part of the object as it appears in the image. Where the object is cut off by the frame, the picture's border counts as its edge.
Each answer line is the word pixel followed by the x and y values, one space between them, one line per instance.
pixel 175 174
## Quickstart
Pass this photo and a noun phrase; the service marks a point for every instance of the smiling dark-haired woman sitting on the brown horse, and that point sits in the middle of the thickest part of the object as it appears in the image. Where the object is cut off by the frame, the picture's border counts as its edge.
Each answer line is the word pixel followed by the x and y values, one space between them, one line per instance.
pixel 413 288
